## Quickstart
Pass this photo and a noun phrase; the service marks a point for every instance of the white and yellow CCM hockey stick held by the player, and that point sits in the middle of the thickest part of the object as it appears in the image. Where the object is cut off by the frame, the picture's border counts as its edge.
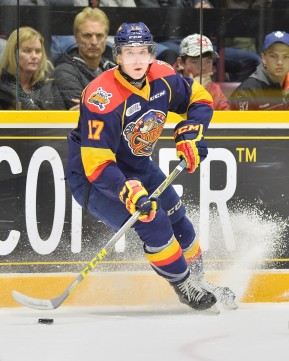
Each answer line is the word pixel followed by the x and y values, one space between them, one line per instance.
pixel 50 304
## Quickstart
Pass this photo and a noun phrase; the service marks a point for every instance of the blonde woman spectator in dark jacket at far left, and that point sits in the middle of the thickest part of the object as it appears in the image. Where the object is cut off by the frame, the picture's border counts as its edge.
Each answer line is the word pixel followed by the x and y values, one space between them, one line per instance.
pixel 28 86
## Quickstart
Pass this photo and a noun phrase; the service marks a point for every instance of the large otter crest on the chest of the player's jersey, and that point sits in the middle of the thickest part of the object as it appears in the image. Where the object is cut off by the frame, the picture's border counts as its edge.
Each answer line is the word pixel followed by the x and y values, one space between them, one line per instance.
pixel 143 134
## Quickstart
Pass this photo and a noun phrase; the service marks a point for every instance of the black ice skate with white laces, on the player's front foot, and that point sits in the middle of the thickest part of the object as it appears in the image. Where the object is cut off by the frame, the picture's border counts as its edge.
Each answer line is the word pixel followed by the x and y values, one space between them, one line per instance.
pixel 191 294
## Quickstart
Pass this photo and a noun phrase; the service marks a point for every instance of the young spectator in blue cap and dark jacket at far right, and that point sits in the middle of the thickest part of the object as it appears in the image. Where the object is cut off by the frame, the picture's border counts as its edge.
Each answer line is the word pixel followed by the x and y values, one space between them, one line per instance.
pixel 265 89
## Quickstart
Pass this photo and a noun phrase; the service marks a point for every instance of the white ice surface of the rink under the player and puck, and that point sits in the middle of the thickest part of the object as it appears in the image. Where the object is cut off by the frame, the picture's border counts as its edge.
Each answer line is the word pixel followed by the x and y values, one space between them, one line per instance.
pixel 254 332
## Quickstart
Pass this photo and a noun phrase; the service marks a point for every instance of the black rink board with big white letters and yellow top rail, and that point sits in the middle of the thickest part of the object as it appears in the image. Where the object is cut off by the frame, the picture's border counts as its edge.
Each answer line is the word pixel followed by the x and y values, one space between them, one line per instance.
pixel 48 239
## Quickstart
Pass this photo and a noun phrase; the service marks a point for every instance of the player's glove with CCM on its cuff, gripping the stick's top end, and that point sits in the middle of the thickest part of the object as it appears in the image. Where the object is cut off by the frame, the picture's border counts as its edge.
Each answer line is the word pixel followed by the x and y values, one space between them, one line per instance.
pixel 190 144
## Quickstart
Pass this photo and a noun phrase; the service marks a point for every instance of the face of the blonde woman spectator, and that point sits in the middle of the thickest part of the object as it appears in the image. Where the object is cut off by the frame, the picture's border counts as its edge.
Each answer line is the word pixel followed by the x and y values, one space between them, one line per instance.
pixel 30 56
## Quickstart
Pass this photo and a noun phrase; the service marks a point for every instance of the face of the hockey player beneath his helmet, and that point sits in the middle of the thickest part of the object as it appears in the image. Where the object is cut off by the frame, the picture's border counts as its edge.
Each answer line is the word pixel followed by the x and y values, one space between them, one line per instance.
pixel 134 60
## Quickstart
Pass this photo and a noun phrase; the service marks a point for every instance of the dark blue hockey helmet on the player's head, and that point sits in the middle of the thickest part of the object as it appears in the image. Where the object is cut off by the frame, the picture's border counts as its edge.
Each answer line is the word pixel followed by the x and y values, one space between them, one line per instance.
pixel 133 34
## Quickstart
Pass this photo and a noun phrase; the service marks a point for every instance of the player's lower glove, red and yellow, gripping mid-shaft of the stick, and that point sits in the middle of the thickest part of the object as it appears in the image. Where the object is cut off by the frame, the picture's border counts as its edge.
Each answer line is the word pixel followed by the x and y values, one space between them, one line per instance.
pixel 135 197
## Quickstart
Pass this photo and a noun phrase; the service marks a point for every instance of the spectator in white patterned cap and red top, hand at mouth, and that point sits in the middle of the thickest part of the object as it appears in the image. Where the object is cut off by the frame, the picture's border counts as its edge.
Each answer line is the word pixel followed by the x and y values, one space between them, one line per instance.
pixel 190 63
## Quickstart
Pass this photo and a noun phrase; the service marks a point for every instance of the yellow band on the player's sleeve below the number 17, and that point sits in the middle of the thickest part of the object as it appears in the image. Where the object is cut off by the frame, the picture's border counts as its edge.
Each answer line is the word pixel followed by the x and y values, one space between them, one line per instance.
pixel 93 158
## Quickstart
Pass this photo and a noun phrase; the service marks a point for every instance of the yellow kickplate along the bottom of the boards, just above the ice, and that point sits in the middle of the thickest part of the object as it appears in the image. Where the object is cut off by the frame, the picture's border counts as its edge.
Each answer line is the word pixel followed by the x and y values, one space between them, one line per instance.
pixel 130 288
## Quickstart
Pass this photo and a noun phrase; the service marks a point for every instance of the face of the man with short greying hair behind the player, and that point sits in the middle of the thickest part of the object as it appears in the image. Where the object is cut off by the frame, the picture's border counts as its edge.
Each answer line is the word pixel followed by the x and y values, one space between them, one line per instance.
pixel 91 39
